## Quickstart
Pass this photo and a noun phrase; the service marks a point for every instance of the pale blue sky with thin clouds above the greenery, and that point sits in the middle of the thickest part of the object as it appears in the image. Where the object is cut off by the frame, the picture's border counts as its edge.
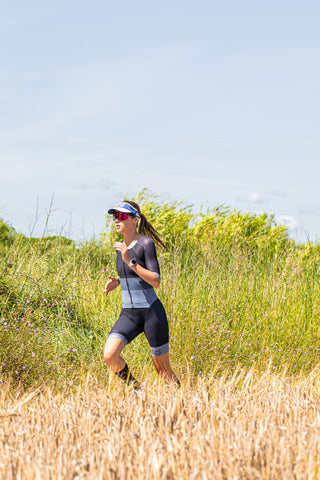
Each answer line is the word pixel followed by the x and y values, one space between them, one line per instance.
pixel 207 102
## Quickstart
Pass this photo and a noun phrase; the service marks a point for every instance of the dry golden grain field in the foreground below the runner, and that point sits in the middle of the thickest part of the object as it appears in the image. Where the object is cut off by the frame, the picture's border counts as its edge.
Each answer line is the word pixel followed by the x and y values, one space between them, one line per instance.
pixel 241 428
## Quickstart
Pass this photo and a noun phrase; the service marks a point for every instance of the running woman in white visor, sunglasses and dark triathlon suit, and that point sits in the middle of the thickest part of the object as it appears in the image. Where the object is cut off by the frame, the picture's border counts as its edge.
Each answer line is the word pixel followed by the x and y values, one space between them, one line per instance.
pixel 142 311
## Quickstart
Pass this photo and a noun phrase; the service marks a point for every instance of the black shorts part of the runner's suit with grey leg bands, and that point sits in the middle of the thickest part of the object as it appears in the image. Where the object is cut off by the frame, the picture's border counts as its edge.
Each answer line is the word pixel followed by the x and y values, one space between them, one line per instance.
pixel 152 321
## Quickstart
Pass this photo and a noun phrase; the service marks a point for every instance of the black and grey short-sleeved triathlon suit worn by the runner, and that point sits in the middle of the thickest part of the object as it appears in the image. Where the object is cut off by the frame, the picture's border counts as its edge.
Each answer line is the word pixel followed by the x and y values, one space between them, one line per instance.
pixel 142 310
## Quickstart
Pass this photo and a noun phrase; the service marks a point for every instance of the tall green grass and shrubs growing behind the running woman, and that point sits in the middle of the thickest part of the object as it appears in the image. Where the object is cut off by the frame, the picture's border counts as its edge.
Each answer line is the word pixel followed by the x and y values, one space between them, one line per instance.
pixel 238 293
